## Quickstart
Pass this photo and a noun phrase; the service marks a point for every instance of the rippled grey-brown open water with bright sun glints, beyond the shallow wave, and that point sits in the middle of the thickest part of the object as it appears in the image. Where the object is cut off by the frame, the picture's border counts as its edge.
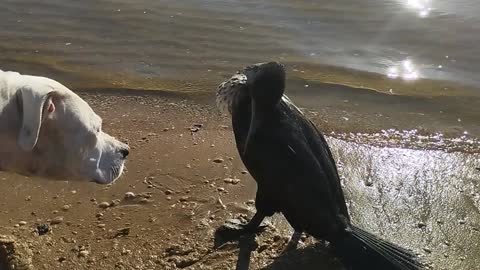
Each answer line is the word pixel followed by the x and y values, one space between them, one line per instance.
pixel 405 38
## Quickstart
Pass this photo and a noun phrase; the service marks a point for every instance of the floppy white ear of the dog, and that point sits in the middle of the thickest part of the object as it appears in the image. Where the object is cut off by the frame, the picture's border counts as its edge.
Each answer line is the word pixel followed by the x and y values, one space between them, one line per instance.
pixel 35 103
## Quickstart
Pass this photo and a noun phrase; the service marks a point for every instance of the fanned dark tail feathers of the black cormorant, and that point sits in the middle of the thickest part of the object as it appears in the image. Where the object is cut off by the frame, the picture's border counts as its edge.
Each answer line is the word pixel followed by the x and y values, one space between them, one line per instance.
pixel 362 250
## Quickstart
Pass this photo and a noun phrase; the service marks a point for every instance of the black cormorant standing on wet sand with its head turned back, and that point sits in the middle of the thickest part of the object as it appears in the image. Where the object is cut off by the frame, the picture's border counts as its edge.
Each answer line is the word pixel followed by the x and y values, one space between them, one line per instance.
pixel 295 171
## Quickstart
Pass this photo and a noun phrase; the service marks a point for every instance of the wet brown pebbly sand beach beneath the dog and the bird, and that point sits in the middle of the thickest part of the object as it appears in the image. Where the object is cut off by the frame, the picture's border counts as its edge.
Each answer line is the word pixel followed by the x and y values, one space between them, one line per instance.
pixel 427 200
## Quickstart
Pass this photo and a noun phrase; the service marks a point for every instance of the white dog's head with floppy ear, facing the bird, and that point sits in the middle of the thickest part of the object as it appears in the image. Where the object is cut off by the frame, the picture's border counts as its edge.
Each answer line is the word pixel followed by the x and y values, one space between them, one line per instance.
pixel 48 130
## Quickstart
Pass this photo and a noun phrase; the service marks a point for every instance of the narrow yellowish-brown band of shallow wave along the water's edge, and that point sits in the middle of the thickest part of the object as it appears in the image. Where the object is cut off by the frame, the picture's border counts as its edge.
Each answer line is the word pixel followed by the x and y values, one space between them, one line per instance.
pixel 298 69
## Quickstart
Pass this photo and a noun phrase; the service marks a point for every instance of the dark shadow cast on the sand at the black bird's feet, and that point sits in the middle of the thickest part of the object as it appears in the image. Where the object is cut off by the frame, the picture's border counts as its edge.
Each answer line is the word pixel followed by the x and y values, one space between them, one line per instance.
pixel 312 257
